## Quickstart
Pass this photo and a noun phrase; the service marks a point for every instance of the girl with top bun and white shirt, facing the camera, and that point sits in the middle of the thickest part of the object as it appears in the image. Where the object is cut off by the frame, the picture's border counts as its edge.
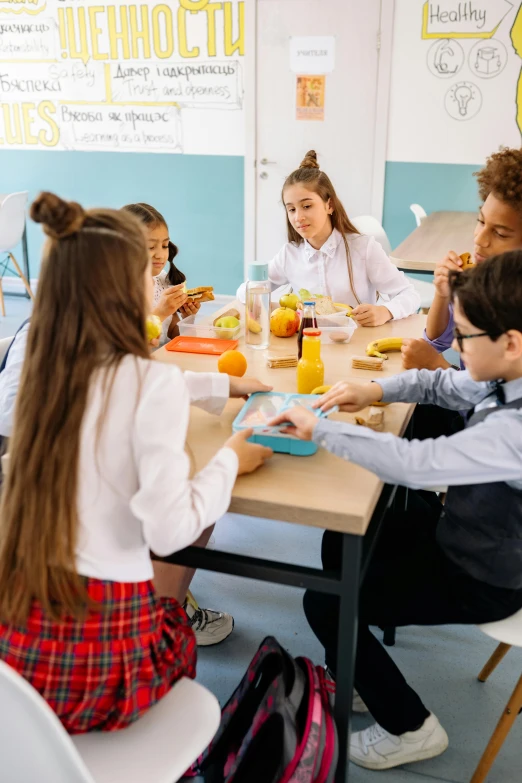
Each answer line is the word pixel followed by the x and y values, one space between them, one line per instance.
pixel 326 255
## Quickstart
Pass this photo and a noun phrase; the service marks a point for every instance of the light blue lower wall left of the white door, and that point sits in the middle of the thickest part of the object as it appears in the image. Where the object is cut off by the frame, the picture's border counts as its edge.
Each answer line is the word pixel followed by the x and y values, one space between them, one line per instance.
pixel 200 196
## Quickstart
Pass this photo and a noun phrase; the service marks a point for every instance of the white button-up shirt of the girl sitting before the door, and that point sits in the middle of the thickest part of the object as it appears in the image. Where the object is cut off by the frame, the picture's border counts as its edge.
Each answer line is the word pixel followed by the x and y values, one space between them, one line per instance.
pixel 325 272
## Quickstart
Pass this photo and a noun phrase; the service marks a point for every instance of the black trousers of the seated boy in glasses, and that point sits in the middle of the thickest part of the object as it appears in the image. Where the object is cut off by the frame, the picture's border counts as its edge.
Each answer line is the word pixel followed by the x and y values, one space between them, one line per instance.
pixel 409 582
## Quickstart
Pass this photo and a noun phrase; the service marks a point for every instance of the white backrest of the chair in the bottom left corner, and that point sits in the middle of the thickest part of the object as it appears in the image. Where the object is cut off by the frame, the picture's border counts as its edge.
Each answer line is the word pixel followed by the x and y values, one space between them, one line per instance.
pixel 33 743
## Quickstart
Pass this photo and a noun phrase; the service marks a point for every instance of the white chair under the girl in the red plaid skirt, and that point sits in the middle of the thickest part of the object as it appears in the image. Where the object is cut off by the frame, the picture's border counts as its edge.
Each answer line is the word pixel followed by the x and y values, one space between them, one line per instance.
pixel 158 748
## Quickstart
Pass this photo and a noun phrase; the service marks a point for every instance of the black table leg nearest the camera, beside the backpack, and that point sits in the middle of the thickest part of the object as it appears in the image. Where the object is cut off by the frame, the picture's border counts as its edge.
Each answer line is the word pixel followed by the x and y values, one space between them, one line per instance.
pixel 346 646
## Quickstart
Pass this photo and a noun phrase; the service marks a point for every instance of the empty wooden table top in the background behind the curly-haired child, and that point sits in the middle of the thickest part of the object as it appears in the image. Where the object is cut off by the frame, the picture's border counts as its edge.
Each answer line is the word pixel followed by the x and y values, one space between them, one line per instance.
pixel 437 234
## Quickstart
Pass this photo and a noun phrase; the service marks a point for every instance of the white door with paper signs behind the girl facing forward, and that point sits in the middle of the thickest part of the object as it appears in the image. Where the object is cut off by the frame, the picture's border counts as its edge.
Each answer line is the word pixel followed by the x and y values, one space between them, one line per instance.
pixel 344 141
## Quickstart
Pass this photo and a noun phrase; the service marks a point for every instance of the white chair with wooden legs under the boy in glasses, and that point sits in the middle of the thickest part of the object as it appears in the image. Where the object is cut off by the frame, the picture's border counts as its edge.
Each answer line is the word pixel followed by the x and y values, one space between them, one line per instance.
pixel 508 633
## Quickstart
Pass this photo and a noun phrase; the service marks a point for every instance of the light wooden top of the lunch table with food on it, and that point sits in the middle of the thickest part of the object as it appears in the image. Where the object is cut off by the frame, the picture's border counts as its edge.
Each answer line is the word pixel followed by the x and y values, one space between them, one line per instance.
pixel 319 491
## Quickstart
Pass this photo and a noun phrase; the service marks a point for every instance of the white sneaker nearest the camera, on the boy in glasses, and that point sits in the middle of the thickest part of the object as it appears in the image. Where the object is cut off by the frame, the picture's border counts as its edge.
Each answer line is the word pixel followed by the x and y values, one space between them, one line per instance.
pixel 376 748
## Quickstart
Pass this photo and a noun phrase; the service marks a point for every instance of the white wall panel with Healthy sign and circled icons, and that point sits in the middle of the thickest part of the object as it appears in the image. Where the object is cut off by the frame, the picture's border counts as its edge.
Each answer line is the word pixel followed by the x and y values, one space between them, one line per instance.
pixel 454 82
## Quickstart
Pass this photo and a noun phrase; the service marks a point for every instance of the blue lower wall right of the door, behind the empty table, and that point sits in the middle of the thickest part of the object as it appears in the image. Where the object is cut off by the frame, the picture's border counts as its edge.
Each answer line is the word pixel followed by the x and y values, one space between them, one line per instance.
pixel 435 186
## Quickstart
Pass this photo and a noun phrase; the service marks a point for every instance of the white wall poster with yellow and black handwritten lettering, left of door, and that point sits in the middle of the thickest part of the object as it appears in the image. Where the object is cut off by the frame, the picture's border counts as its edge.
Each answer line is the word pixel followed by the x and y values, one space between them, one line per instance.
pixel 125 76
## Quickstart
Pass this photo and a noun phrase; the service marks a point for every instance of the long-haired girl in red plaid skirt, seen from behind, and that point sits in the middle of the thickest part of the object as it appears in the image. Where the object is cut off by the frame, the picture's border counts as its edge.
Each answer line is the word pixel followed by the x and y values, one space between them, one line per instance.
pixel 97 479
